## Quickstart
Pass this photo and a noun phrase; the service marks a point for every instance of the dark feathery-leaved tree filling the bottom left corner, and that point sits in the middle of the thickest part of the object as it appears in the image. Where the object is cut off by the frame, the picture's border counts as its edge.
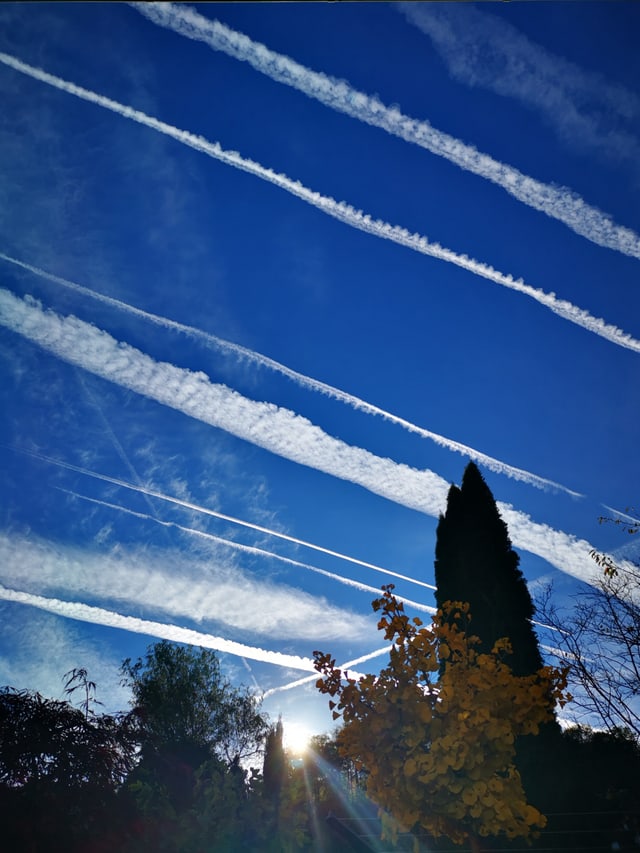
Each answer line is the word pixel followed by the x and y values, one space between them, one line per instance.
pixel 60 770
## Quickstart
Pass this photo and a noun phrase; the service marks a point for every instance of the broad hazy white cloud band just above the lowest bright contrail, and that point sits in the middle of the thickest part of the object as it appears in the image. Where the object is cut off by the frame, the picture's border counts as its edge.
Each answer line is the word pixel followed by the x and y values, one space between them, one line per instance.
pixel 180 587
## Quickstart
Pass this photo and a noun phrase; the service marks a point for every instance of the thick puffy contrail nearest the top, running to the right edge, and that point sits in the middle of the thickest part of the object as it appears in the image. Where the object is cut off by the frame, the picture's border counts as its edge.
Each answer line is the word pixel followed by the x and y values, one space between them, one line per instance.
pixel 559 203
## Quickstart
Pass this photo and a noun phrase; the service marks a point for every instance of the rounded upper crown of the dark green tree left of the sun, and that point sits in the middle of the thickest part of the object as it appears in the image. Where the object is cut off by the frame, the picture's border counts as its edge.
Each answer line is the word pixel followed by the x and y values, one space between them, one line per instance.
pixel 184 702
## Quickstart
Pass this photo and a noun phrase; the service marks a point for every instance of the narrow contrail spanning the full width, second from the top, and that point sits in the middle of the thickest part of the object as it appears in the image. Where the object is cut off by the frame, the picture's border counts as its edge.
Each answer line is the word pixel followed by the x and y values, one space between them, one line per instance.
pixel 340 210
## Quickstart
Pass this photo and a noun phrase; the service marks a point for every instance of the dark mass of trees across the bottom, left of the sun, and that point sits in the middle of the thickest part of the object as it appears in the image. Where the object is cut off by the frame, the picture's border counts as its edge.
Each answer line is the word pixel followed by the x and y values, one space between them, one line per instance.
pixel 169 775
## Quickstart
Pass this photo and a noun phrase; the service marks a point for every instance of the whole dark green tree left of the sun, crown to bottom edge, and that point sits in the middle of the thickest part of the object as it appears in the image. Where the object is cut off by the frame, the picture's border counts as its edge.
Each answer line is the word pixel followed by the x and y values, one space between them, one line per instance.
pixel 190 790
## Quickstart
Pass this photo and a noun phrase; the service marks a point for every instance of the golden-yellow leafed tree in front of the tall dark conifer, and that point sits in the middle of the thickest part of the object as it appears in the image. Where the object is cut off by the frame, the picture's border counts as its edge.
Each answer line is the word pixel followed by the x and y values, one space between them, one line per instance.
pixel 440 753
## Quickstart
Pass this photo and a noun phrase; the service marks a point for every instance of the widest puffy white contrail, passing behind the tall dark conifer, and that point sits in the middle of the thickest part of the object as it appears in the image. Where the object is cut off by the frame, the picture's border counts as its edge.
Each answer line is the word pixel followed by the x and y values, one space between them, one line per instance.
pixel 277 430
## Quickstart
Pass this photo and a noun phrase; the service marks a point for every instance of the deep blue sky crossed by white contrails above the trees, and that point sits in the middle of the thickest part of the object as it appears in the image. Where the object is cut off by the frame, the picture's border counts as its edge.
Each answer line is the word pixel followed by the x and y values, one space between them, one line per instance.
pixel 427 255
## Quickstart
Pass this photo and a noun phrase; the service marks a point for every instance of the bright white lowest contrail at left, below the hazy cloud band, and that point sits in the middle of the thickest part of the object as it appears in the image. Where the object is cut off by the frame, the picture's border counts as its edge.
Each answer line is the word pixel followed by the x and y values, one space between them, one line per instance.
pixel 174 633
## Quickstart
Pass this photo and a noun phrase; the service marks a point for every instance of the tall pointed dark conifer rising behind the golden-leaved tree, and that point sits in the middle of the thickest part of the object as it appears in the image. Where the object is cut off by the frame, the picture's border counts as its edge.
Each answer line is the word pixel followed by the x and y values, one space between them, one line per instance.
pixel 476 563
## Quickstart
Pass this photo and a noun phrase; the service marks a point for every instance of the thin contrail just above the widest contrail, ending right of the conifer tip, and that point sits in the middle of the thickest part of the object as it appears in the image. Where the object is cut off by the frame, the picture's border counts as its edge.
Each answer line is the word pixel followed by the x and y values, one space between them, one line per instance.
pixel 300 379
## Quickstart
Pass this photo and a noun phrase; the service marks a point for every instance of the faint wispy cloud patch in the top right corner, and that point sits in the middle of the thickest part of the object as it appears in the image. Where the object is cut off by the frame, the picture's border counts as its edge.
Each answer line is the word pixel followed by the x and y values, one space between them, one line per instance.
pixel 484 50
